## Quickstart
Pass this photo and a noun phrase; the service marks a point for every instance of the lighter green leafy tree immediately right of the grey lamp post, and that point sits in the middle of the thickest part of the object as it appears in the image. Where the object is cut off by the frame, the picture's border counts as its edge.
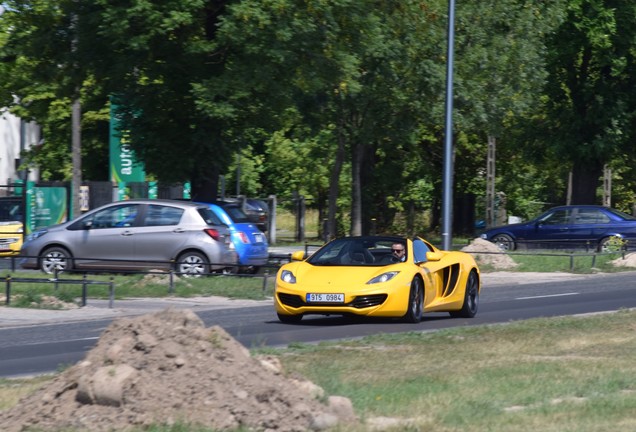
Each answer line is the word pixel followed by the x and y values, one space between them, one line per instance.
pixel 500 74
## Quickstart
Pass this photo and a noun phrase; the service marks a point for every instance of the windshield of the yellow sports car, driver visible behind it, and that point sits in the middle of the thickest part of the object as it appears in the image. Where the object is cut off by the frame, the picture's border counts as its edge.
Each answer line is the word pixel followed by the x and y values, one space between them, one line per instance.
pixel 356 251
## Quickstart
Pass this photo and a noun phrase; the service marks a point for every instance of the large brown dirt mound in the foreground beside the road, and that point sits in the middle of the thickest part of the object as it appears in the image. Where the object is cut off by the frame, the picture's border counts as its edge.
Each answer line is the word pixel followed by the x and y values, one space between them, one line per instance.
pixel 167 368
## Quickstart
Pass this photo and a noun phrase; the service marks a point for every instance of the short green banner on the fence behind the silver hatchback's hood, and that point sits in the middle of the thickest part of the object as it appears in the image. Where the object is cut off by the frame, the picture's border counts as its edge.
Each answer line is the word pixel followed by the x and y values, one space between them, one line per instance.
pixel 46 206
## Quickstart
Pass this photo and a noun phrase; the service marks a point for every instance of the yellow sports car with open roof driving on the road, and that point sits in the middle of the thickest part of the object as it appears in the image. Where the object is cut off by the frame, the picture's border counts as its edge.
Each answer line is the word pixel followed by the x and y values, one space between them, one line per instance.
pixel 378 276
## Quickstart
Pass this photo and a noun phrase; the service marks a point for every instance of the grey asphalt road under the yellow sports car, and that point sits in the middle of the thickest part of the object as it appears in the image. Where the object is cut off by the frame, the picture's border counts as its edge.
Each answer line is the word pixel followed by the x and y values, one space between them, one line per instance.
pixel 44 347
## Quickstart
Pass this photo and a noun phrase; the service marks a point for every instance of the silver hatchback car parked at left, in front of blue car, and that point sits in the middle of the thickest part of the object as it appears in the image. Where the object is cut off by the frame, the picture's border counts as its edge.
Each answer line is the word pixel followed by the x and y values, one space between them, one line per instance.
pixel 135 235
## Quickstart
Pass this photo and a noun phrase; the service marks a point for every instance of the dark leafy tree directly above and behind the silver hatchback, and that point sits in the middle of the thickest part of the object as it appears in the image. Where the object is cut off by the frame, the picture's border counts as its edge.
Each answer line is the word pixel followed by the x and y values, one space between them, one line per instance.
pixel 150 55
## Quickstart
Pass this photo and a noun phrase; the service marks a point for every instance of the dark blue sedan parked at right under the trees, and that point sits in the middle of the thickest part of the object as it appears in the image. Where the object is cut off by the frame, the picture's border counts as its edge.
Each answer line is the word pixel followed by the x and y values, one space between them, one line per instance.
pixel 576 226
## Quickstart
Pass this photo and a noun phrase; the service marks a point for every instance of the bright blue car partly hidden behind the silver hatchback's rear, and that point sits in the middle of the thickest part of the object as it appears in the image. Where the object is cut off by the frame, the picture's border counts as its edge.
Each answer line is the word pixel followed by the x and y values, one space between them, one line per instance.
pixel 250 242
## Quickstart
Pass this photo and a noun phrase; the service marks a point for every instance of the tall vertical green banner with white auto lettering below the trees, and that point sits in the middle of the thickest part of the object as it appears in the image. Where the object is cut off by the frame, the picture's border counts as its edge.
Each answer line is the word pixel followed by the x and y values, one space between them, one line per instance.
pixel 124 167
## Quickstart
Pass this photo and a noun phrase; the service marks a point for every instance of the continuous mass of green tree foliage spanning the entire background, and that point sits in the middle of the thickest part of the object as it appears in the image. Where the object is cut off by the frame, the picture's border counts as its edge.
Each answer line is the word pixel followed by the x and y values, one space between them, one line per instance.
pixel 340 101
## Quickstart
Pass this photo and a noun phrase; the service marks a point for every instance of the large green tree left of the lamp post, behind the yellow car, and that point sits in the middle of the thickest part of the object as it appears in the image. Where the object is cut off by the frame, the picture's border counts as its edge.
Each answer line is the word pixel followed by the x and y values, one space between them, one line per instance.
pixel 355 71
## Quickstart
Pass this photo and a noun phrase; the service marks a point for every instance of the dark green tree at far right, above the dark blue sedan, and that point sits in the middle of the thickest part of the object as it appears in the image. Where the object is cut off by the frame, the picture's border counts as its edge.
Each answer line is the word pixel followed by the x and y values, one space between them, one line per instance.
pixel 590 102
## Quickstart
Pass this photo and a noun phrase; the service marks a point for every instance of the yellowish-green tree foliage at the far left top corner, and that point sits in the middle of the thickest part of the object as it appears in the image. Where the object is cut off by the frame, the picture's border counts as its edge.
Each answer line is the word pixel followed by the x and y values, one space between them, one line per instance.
pixel 42 48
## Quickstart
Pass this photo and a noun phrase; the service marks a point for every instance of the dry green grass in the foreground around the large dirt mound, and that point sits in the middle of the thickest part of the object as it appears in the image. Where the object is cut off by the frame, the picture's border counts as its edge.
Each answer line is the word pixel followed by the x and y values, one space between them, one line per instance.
pixel 571 374
